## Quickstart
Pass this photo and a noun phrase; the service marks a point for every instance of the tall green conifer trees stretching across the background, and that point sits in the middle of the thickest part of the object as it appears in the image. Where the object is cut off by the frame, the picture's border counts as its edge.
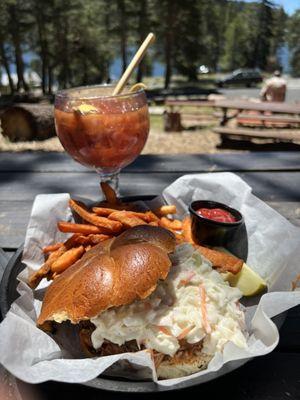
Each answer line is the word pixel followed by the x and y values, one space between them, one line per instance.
pixel 75 41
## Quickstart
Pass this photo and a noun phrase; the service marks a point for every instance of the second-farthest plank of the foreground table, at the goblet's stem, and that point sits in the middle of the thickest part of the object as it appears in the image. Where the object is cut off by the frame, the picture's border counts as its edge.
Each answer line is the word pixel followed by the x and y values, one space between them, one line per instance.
pixel 270 186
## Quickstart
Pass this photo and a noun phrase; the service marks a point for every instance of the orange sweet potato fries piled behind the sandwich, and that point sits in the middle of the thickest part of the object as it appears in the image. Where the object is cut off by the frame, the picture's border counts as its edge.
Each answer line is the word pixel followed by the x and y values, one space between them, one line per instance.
pixel 108 220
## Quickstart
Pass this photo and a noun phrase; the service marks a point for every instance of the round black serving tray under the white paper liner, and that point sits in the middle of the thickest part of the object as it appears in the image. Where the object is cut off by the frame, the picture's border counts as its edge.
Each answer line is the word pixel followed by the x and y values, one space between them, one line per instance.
pixel 8 294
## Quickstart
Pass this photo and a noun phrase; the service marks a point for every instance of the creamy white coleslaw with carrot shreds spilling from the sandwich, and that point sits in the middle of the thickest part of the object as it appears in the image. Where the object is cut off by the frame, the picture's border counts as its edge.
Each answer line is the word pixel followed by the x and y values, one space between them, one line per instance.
pixel 175 305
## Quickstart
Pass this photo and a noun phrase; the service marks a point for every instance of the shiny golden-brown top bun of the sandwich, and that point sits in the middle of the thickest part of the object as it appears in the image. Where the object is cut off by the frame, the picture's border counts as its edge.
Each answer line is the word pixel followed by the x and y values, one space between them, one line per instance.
pixel 113 273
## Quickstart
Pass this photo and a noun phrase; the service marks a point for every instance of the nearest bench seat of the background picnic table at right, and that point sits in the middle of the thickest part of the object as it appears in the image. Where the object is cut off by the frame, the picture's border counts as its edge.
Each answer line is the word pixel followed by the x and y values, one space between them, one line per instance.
pixel 275 134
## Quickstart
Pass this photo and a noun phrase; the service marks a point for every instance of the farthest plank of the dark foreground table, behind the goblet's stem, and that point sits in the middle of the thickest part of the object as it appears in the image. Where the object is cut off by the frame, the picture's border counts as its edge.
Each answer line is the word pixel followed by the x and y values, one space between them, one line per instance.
pixel 61 162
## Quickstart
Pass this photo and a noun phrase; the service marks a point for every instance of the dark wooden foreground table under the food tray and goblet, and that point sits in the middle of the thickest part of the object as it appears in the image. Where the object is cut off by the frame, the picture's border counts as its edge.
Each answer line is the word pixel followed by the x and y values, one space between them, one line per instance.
pixel 275 178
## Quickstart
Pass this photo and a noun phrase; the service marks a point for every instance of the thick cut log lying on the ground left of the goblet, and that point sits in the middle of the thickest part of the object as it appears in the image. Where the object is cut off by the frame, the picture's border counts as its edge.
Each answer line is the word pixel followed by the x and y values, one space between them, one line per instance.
pixel 25 122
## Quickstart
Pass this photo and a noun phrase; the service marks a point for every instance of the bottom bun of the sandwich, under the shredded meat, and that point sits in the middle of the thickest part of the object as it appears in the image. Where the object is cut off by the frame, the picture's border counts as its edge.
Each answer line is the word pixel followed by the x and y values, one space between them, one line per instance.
pixel 176 368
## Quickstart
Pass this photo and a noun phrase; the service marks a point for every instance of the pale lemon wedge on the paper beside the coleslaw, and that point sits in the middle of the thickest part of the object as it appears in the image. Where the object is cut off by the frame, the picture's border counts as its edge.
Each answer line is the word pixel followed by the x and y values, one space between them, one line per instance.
pixel 248 281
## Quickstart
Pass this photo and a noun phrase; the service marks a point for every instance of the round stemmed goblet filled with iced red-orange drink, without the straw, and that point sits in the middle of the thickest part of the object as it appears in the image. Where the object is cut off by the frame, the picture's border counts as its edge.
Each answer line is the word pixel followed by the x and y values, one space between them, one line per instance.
pixel 102 131
